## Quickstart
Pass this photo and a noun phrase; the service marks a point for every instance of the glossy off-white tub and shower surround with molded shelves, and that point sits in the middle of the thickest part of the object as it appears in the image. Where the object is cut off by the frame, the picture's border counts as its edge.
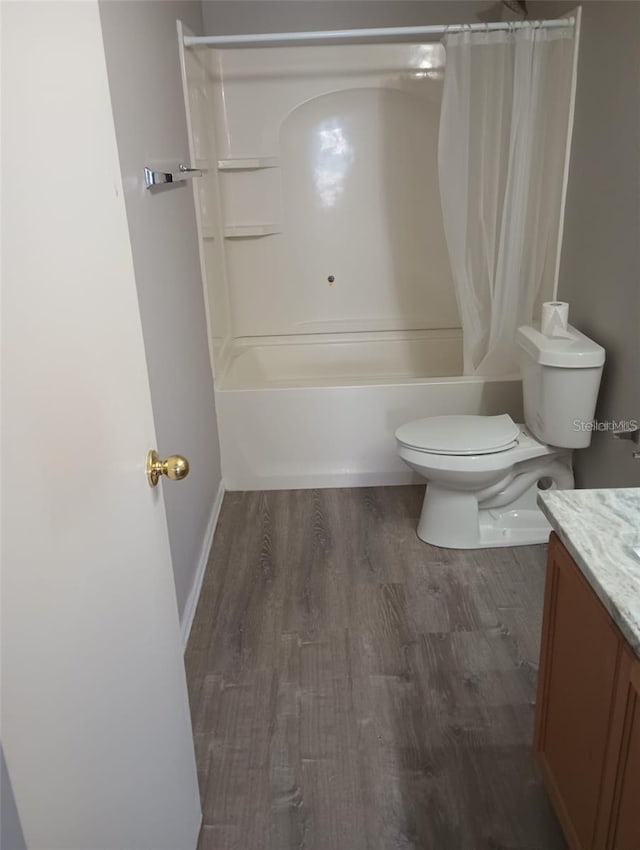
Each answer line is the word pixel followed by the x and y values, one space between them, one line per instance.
pixel 332 310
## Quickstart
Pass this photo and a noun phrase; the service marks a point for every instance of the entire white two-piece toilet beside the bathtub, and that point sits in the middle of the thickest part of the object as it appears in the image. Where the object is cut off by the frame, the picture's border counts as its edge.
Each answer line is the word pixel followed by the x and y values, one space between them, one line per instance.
pixel 484 472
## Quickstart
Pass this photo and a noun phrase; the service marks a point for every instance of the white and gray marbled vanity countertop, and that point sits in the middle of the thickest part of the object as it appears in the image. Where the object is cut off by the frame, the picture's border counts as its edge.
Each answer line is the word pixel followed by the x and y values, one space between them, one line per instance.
pixel 601 529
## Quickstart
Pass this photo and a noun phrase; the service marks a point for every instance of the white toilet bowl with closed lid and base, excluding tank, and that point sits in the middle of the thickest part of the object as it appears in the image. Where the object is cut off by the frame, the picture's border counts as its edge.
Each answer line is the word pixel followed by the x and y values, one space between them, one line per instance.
pixel 483 474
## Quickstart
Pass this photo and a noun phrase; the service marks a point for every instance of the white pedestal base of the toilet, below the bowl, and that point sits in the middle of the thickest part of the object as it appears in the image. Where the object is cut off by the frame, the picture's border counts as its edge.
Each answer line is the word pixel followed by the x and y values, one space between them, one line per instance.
pixel 453 520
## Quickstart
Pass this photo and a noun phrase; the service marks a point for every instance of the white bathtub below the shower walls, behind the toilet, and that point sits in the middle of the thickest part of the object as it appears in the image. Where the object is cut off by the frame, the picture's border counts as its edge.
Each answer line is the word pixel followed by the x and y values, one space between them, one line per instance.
pixel 323 412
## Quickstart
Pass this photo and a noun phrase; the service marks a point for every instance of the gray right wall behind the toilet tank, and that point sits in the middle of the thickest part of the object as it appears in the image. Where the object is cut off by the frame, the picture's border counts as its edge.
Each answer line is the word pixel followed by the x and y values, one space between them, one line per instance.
pixel 600 265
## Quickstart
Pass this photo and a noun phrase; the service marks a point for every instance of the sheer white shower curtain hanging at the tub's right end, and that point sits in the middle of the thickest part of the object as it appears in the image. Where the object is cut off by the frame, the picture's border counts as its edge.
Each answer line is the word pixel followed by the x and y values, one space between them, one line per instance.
pixel 503 130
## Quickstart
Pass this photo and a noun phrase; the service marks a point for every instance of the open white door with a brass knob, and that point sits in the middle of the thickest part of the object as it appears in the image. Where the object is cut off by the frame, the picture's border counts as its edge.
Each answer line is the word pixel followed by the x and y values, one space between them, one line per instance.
pixel 95 720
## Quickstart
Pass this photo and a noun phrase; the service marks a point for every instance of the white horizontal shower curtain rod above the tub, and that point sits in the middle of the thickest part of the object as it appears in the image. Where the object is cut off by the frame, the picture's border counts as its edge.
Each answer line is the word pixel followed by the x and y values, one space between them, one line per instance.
pixel 267 38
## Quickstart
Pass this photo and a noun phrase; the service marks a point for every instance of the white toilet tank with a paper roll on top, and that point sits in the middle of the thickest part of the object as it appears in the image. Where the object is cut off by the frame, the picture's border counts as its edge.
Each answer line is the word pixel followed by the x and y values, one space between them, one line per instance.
pixel 560 382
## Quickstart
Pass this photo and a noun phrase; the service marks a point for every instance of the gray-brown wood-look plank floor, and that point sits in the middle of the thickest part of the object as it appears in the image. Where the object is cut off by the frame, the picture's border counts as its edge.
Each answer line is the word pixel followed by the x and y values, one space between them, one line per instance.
pixel 355 689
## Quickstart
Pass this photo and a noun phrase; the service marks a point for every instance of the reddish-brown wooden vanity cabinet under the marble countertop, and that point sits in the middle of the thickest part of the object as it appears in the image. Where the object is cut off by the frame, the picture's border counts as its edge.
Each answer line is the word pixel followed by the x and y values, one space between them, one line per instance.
pixel 587 739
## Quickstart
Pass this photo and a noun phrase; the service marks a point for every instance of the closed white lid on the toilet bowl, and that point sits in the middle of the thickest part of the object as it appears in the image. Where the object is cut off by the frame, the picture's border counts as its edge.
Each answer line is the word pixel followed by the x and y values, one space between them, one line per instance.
pixel 460 435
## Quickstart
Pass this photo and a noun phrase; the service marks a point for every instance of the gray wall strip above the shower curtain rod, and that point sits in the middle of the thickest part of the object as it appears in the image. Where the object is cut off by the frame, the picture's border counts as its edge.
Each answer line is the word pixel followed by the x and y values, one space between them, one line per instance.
pixel 222 17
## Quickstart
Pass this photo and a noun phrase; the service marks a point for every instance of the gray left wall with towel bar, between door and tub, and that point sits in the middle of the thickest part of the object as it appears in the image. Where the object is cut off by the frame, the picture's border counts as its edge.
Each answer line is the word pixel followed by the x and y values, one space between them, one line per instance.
pixel 141 48
